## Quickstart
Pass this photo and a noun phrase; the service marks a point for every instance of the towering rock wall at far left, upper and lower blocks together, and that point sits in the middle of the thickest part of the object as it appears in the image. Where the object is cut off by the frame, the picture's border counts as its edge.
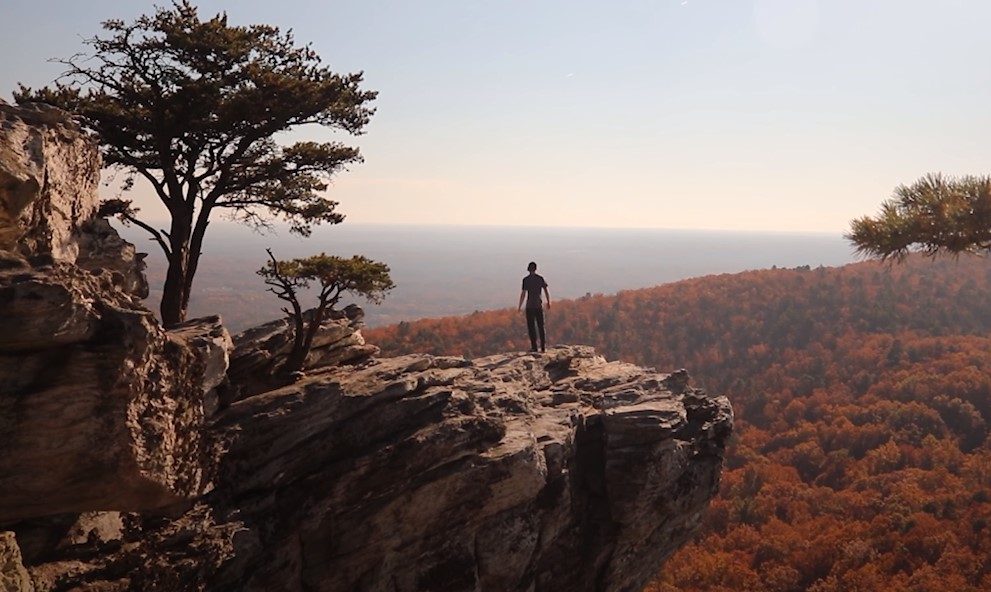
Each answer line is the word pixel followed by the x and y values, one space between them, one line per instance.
pixel 100 409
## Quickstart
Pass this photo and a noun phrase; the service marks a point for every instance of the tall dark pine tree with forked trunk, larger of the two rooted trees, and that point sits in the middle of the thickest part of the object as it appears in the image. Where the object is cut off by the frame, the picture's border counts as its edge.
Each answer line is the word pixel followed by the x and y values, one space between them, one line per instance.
pixel 194 107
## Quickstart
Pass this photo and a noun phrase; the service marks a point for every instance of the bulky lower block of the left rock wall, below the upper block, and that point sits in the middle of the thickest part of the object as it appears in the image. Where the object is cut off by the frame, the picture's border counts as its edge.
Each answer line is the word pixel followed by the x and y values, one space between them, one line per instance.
pixel 102 418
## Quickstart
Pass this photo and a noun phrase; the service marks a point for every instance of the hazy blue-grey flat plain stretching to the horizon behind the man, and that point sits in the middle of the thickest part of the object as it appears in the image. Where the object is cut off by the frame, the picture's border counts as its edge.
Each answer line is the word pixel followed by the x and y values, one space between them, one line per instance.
pixel 455 270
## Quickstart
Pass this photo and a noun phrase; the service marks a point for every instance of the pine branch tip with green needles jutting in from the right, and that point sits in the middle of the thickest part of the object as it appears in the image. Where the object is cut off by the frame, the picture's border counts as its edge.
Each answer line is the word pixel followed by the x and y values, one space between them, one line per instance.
pixel 936 214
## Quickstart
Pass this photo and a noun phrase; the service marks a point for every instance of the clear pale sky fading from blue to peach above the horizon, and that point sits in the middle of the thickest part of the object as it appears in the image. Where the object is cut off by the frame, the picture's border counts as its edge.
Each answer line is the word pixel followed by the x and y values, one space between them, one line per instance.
pixel 789 115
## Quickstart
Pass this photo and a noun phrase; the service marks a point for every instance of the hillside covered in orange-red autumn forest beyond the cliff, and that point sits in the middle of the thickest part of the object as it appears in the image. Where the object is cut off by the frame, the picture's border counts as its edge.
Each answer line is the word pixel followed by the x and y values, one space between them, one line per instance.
pixel 862 394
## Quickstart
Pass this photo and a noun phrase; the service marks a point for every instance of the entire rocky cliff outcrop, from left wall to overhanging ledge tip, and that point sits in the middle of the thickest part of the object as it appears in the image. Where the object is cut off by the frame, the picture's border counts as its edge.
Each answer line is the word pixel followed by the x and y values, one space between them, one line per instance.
pixel 135 458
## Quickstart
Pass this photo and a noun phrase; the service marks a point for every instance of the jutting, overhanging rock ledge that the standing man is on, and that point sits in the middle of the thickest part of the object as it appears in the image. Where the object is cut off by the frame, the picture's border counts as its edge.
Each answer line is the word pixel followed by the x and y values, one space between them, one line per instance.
pixel 511 472
